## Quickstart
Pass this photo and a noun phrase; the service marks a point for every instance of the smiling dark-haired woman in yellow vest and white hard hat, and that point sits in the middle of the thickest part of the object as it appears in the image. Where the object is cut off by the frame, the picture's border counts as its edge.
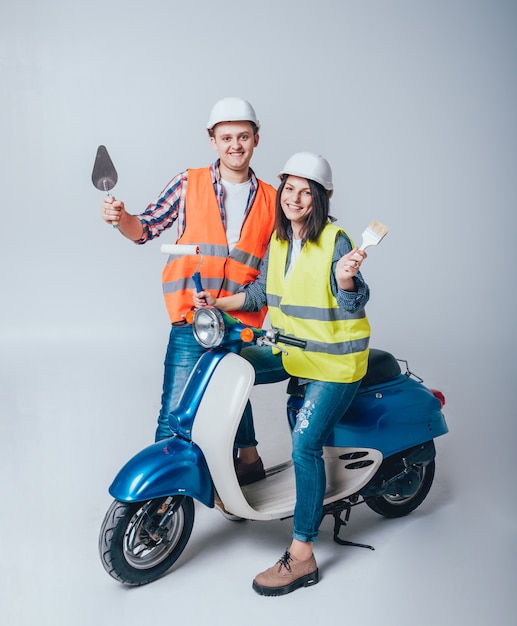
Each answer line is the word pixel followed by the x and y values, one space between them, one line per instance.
pixel 311 283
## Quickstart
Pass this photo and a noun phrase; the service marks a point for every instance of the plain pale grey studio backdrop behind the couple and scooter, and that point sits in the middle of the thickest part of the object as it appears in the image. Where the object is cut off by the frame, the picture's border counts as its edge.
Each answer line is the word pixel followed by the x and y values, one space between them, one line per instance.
pixel 412 102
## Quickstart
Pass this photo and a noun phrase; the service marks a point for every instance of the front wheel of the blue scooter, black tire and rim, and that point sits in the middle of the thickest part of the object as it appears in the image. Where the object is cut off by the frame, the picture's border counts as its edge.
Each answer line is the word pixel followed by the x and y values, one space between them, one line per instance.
pixel 140 541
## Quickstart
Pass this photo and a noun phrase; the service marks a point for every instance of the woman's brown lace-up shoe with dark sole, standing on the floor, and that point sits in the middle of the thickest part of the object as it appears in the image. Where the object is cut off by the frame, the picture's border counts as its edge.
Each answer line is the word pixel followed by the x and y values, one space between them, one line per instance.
pixel 286 575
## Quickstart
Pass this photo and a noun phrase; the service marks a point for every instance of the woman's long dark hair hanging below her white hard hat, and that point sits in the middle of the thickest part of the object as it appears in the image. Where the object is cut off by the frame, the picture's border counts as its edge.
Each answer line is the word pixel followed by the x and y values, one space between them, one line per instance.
pixel 317 218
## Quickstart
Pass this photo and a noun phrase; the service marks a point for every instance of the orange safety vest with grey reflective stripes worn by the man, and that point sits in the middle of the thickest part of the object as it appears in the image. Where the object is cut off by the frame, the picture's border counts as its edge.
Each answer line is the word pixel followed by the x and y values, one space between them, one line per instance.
pixel 222 273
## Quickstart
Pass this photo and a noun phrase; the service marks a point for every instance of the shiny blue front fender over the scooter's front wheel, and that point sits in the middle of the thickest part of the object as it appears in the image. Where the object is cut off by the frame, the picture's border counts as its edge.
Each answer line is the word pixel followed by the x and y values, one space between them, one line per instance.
pixel 169 467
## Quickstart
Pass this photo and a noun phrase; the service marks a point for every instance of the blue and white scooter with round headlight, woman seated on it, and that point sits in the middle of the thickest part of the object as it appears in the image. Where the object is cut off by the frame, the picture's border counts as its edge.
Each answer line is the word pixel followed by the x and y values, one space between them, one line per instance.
pixel 381 453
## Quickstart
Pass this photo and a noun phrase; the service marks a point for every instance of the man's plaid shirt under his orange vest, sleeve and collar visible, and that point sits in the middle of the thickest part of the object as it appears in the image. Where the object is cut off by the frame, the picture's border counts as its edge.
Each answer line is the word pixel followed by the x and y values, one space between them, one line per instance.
pixel 170 206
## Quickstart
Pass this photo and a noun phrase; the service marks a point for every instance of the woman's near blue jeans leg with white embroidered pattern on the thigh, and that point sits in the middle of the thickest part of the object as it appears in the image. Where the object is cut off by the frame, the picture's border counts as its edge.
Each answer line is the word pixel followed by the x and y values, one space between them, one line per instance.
pixel 323 406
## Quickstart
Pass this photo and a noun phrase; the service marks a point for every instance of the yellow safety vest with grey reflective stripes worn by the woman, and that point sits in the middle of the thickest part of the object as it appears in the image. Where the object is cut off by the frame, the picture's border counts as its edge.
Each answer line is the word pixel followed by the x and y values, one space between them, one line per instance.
pixel 304 306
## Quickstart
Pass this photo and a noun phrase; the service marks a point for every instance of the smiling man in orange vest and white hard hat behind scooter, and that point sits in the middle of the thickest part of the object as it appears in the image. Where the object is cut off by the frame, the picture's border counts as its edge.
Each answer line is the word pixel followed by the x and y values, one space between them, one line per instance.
pixel 226 211
